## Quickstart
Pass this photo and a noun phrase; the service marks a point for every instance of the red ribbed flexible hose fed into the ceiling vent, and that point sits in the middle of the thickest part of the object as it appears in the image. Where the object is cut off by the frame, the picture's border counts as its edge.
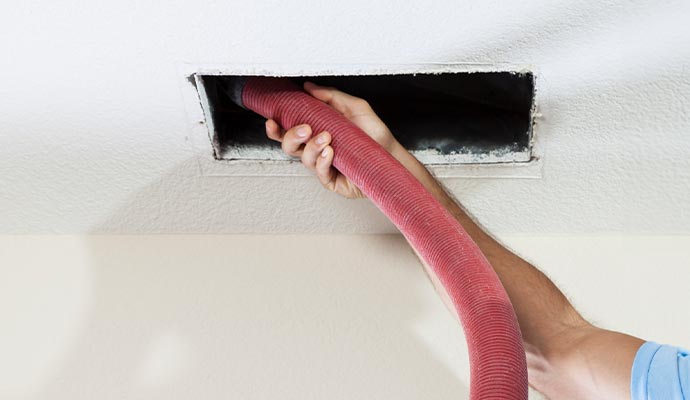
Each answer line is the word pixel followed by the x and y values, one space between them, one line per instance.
pixel 497 358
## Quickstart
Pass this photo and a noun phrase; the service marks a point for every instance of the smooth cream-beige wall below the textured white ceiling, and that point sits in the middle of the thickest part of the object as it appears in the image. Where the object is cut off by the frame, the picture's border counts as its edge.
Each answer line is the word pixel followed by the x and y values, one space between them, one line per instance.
pixel 289 317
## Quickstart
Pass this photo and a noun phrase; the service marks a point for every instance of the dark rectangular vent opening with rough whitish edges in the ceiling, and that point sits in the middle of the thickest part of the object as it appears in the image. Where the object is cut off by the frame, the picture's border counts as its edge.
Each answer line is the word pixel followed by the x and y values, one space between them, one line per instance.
pixel 443 118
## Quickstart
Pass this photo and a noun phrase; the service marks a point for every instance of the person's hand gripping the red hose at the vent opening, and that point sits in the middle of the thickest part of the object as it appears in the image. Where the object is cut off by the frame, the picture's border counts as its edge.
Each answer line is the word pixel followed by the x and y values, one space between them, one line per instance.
pixel 316 152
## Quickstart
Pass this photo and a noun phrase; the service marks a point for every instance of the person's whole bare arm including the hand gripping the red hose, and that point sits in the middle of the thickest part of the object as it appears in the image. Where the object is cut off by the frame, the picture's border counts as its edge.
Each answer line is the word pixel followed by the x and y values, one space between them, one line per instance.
pixel 567 357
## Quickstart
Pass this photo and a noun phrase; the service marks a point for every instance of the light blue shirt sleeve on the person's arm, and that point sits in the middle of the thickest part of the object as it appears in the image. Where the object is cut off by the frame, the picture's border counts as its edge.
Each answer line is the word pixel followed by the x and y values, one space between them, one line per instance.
pixel 660 372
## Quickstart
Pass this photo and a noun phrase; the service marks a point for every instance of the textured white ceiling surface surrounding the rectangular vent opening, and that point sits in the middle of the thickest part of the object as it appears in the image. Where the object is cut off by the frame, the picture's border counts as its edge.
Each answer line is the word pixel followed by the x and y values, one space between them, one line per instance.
pixel 94 136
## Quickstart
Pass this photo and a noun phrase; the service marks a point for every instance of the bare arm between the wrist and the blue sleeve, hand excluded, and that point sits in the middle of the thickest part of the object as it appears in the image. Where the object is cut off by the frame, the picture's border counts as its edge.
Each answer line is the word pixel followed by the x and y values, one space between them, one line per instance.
pixel 567 356
